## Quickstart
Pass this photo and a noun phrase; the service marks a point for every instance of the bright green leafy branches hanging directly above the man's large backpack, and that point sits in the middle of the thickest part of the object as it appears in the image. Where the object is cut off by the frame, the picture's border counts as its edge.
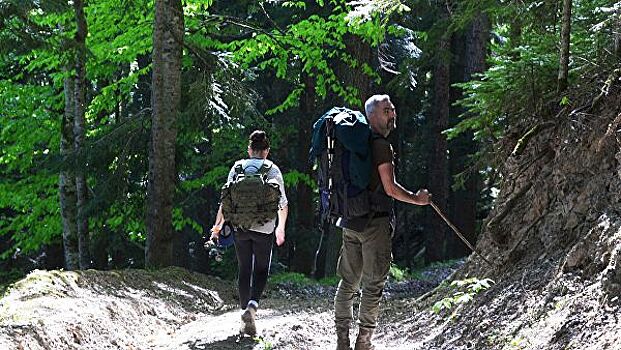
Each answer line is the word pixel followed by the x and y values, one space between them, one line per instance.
pixel 309 47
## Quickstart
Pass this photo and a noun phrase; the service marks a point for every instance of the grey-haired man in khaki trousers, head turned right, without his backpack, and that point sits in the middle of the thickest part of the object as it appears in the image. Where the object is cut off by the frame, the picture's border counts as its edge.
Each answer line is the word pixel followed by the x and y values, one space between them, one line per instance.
pixel 366 254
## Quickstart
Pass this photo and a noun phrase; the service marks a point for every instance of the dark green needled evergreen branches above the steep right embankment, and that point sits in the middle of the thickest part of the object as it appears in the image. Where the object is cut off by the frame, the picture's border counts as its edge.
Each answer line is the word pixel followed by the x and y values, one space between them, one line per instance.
pixel 523 64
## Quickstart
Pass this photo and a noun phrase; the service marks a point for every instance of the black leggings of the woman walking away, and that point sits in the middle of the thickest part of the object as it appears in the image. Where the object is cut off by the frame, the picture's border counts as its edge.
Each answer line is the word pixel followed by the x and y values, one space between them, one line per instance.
pixel 254 254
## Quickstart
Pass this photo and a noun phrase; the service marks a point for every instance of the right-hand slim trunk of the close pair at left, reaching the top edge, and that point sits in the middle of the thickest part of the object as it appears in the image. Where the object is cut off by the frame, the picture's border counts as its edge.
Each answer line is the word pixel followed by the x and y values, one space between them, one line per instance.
pixel 80 132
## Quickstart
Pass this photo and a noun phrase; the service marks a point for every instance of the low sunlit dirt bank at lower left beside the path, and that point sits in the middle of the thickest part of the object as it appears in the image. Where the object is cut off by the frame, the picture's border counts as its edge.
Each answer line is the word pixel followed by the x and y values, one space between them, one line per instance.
pixel 104 310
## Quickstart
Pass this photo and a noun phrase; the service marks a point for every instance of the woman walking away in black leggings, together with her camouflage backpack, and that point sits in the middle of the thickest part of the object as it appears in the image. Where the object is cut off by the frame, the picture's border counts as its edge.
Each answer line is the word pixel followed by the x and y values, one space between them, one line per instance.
pixel 254 238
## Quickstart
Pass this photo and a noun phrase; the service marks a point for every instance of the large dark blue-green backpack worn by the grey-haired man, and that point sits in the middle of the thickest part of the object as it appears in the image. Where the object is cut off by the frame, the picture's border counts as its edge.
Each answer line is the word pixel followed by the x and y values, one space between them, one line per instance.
pixel 341 146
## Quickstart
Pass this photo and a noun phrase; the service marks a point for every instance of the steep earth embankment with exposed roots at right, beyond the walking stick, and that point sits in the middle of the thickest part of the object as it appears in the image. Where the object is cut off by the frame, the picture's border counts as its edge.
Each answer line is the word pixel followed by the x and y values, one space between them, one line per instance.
pixel 555 235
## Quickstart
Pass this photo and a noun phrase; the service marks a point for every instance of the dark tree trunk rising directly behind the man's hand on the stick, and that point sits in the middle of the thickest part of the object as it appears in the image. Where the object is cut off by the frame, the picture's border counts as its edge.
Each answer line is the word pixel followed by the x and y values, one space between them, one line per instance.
pixel 436 237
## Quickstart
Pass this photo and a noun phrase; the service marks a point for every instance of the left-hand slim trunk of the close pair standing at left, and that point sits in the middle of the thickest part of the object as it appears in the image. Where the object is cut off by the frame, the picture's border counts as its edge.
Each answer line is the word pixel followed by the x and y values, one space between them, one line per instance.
pixel 67 187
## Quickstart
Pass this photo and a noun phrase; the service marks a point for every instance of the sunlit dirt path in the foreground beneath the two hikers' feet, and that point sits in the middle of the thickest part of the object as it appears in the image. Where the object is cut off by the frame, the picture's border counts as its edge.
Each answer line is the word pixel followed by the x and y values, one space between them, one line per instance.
pixel 294 326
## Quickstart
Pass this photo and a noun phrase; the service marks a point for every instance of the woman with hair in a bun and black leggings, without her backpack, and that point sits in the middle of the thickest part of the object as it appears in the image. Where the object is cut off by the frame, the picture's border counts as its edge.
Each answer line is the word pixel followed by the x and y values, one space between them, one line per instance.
pixel 253 245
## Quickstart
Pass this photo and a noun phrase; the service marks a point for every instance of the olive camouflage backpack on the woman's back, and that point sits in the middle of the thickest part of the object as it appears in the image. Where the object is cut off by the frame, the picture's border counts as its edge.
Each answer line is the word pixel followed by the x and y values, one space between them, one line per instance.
pixel 250 199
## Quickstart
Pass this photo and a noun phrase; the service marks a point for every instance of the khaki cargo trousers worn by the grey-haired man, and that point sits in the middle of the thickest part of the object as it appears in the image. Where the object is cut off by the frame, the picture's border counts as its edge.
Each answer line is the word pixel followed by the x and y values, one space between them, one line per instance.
pixel 365 259
